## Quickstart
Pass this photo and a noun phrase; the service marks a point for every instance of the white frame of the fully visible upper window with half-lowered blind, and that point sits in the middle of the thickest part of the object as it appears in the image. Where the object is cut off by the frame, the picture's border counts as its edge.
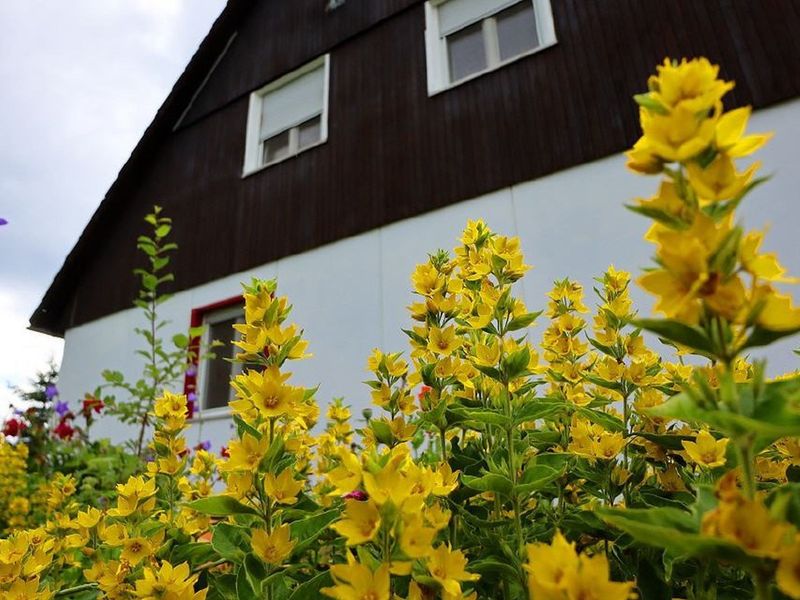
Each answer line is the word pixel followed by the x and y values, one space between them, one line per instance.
pixel 254 145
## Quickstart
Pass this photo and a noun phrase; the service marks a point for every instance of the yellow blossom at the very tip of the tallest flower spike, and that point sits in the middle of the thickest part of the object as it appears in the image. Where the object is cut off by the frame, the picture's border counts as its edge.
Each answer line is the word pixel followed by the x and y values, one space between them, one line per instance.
pixel 691 85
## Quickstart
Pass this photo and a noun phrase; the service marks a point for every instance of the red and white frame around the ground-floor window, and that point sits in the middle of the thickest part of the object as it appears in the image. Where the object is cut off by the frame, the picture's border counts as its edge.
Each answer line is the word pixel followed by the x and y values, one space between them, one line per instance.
pixel 195 382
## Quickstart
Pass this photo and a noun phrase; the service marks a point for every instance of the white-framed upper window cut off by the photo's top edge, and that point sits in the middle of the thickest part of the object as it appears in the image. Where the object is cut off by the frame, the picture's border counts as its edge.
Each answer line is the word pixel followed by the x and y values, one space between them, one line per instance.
pixel 465 38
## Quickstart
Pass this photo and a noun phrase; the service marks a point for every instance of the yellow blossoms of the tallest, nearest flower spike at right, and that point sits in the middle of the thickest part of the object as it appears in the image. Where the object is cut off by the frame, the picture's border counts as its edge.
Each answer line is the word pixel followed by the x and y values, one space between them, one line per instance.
pixel 702 256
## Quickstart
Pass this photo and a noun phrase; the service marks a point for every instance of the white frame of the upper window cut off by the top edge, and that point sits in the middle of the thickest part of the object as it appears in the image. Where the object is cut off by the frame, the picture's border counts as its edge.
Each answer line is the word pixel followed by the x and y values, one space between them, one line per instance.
pixel 438 60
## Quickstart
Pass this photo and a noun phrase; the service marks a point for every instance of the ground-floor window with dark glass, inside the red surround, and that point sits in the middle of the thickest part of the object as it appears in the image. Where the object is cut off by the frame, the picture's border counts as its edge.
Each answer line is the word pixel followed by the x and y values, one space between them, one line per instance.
pixel 214 374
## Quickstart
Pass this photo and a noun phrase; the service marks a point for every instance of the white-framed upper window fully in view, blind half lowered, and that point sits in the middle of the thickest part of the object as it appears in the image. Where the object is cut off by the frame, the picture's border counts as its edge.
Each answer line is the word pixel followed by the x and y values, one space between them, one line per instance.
pixel 288 115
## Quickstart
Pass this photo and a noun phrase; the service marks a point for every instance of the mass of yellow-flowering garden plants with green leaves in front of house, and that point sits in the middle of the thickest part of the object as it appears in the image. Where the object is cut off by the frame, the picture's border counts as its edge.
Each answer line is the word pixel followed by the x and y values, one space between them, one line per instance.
pixel 587 466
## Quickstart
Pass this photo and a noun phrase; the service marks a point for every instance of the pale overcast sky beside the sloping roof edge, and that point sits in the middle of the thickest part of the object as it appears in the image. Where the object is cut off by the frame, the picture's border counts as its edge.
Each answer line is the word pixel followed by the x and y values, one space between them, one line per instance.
pixel 81 80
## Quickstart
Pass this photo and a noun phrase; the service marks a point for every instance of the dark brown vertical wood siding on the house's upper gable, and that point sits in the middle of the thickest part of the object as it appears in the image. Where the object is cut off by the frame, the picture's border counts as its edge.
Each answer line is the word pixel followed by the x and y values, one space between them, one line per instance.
pixel 392 151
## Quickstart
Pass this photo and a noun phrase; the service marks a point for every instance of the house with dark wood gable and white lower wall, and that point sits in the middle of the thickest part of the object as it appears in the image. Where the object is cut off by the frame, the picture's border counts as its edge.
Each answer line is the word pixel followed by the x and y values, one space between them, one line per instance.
pixel 333 143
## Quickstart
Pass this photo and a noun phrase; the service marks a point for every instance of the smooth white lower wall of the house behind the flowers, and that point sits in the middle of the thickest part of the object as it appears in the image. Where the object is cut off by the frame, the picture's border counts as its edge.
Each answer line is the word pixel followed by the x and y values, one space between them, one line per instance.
pixel 350 296
